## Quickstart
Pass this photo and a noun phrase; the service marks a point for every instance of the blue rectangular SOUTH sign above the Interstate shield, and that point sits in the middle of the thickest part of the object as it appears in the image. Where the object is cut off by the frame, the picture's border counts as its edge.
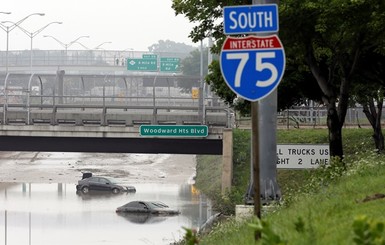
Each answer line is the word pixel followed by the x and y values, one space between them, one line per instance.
pixel 250 19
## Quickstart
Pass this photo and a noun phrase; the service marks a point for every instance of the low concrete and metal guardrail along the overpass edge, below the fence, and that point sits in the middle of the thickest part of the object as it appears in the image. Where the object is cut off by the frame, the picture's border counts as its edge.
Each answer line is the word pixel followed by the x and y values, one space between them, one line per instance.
pixel 108 115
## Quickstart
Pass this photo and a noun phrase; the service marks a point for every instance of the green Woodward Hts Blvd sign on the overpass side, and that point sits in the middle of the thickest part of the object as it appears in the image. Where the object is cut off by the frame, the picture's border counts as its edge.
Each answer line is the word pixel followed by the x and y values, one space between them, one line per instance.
pixel 173 130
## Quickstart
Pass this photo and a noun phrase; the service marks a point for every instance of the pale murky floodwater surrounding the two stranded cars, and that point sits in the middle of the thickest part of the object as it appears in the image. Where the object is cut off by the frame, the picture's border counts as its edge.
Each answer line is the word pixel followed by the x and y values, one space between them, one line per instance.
pixel 47 214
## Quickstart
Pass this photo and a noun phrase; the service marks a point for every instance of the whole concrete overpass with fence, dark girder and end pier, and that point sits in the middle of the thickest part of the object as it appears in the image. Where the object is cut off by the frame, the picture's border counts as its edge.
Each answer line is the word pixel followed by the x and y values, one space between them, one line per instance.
pixel 65 107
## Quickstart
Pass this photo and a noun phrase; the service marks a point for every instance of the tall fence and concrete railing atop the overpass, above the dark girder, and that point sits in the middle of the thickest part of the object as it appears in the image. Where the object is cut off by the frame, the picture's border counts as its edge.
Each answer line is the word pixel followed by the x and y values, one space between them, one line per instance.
pixel 84 99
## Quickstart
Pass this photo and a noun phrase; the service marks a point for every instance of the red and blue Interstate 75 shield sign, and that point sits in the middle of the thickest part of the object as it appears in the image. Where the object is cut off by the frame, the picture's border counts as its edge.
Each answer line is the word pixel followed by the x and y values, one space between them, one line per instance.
pixel 252 66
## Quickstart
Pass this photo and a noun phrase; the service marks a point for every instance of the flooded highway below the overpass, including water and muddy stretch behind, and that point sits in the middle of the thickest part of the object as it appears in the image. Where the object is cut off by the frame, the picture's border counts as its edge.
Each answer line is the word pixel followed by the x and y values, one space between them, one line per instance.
pixel 39 204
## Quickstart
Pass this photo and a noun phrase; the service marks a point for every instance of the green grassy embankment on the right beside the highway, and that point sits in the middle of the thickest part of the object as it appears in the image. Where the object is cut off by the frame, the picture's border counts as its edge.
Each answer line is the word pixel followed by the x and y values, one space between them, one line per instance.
pixel 320 206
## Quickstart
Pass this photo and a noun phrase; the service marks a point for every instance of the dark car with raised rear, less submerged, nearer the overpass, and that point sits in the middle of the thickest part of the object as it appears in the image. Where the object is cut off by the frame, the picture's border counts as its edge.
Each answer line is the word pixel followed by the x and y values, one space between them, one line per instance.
pixel 97 183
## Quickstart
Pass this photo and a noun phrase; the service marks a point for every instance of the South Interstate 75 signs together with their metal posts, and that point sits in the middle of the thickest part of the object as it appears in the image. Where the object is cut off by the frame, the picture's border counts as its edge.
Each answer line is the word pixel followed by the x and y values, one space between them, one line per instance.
pixel 252 67
